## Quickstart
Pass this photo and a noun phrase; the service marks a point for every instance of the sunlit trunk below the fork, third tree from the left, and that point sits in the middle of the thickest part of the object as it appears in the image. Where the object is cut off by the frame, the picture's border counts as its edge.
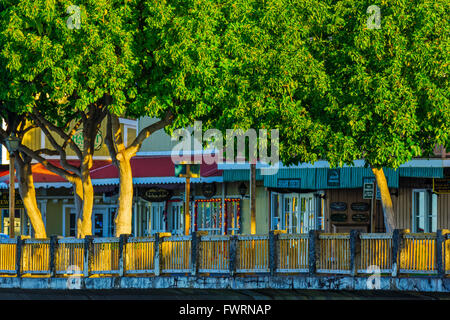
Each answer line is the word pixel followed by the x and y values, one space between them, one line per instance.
pixel 125 211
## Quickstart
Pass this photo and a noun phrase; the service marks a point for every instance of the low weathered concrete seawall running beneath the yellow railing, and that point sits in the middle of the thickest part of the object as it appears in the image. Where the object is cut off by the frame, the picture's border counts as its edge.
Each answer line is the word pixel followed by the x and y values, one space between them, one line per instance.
pixel 418 284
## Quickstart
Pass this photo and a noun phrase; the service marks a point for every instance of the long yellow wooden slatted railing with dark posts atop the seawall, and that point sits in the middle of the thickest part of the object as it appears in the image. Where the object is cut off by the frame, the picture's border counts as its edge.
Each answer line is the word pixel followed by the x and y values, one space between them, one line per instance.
pixel 285 253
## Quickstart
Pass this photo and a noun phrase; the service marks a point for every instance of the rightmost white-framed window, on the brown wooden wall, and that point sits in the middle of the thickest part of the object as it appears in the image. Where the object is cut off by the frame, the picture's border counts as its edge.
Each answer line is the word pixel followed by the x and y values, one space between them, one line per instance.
pixel 424 208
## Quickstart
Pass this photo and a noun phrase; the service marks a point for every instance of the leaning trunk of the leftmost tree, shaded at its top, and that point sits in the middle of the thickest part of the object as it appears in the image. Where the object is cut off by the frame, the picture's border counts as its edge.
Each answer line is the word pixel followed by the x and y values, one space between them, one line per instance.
pixel 28 194
